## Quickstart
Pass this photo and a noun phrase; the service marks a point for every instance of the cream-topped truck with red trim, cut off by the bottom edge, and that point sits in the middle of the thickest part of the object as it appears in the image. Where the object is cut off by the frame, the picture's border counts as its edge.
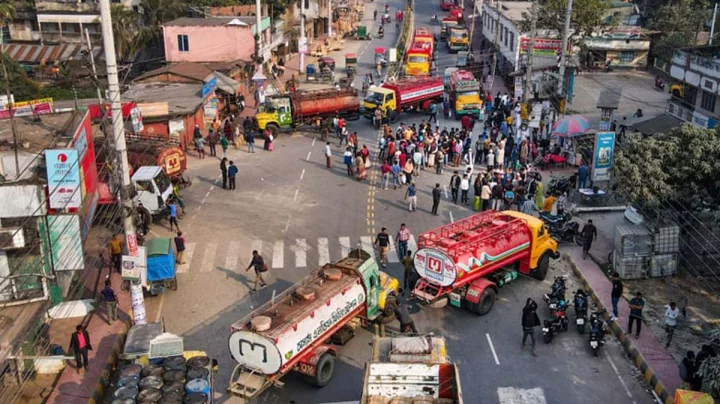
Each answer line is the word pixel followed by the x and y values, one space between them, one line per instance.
pixel 411 370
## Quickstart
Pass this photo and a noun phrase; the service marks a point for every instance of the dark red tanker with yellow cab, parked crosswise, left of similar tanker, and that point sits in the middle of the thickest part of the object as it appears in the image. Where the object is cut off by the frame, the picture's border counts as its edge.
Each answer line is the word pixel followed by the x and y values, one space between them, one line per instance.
pixel 293 110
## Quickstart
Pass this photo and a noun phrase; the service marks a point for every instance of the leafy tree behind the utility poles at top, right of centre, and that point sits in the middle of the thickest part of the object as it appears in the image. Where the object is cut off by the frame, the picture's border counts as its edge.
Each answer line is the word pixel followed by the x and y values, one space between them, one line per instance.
pixel 586 17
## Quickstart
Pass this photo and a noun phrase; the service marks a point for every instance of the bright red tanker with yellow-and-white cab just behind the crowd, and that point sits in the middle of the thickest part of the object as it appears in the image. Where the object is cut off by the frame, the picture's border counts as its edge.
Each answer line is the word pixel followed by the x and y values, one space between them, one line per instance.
pixel 407 94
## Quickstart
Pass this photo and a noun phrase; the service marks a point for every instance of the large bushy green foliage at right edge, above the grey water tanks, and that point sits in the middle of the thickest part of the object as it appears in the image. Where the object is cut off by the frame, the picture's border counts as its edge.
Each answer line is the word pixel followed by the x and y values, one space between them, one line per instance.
pixel 681 167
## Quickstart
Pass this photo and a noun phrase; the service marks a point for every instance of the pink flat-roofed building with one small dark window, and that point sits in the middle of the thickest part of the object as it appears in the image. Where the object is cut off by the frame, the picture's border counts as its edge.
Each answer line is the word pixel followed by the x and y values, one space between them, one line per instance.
pixel 217 39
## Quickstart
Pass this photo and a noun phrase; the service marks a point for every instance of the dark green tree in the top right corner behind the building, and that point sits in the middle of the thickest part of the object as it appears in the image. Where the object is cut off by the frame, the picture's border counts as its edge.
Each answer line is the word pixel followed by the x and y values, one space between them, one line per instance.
pixel 680 21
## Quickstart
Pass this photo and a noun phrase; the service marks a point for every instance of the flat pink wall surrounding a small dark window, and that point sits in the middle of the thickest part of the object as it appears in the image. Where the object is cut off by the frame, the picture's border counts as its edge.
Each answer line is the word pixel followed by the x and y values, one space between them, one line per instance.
pixel 209 43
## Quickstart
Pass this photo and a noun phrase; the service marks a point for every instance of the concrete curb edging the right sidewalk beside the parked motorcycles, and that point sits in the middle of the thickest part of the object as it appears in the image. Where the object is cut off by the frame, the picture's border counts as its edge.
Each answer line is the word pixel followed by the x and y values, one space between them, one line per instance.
pixel 637 357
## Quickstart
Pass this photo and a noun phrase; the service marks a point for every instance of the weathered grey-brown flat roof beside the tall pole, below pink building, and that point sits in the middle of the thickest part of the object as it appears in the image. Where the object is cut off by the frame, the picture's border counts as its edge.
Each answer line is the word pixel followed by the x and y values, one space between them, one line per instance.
pixel 182 99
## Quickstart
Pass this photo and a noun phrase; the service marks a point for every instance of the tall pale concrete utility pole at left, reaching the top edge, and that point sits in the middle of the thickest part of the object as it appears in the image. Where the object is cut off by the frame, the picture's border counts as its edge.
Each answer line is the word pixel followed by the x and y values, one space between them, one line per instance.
pixel 121 163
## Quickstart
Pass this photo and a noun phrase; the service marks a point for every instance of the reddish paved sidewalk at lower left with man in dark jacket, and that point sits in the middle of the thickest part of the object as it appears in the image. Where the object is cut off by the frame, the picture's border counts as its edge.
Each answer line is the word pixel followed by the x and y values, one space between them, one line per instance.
pixel 106 341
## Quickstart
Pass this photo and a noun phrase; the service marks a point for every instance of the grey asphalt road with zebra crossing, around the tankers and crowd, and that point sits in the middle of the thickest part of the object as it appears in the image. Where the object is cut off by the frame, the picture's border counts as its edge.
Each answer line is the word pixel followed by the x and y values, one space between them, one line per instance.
pixel 299 215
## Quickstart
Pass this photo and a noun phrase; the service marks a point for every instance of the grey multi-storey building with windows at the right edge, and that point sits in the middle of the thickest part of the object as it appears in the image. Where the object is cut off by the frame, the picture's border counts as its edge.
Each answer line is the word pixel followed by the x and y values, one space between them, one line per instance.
pixel 695 96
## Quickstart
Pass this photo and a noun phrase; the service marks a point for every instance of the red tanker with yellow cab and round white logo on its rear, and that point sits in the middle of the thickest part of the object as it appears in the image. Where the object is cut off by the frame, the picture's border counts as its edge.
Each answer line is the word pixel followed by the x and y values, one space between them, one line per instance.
pixel 466 262
